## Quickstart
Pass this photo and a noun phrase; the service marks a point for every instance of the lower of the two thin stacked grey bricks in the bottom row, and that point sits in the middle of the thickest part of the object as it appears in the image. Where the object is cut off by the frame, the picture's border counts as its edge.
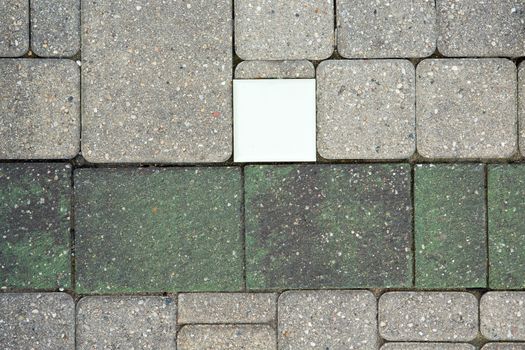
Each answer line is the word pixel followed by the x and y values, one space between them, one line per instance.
pixel 221 337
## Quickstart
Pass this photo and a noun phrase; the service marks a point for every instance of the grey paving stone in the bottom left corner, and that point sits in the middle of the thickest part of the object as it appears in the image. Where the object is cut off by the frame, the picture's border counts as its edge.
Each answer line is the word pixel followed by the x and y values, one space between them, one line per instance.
pixel 37 321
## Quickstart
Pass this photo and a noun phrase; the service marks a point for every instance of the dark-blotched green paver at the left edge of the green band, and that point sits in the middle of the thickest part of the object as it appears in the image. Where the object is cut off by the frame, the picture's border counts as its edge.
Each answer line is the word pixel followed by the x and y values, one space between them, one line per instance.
pixel 35 206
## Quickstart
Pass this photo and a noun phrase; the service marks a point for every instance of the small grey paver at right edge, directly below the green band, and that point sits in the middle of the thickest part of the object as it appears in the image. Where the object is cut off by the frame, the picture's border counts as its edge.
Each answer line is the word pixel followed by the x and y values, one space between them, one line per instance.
pixel 503 315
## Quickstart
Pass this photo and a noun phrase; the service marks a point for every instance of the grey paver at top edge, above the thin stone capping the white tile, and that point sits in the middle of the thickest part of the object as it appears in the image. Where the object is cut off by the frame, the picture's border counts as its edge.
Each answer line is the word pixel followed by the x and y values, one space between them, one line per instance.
pixel 284 30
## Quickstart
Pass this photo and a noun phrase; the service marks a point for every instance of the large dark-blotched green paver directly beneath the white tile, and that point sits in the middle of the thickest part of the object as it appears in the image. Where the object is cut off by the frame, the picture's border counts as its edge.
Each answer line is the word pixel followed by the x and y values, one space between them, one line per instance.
pixel 328 226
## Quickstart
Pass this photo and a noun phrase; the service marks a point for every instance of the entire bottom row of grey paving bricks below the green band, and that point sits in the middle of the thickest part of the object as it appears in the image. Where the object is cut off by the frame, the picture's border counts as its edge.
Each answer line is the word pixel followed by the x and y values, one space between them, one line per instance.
pixel 305 320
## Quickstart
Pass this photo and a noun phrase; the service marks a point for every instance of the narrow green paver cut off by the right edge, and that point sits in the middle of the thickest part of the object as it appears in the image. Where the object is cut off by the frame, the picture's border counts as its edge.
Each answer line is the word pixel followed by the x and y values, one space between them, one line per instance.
pixel 506 211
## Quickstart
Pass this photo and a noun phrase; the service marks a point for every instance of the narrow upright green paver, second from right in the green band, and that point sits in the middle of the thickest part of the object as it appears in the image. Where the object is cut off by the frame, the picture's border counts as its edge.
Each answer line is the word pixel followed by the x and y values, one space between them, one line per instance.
pixel 450 232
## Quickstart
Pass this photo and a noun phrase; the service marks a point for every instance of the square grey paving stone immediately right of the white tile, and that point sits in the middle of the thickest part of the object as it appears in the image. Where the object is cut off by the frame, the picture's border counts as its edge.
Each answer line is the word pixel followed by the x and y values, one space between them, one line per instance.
pixel 366 109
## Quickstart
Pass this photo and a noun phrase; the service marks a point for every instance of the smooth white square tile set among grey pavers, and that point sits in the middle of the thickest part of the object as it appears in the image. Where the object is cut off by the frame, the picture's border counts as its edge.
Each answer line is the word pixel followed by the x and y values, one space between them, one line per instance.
pixel 274 120
